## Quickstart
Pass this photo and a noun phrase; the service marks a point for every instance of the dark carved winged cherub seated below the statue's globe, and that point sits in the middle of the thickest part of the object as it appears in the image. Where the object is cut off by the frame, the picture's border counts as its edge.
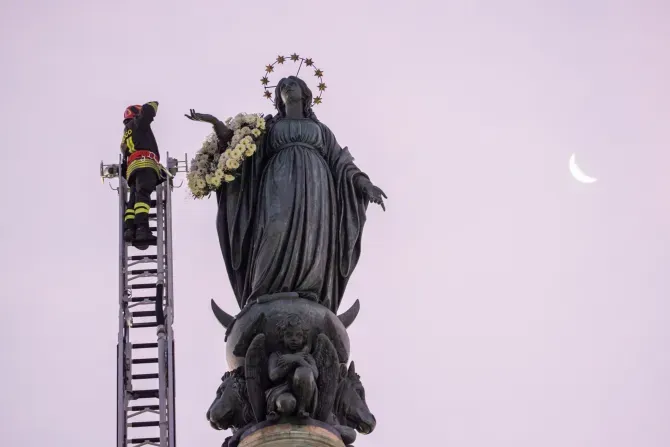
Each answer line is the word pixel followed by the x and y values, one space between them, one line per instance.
pixel 294 379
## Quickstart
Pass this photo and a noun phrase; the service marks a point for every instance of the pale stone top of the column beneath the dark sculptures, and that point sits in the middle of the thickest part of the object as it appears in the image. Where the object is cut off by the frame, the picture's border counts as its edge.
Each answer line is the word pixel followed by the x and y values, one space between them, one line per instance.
pixel 289 435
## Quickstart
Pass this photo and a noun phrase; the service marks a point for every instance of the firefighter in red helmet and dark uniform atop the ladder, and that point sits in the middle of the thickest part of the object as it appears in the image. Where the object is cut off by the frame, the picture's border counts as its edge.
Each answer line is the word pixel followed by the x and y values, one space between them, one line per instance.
pixel 142 171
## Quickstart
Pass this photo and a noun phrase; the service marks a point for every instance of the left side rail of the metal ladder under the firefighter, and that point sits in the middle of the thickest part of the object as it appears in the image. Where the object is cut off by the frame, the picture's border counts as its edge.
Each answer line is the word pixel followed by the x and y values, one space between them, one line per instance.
pixel 121 412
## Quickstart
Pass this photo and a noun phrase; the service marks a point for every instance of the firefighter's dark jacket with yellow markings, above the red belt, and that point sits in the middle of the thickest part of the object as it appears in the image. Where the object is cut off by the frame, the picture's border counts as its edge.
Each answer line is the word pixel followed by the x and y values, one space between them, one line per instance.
pixel 138 139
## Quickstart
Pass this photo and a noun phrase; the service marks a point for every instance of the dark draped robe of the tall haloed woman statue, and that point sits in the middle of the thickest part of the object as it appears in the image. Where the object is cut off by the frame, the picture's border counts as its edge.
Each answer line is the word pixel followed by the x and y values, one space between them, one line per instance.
pixel 292 222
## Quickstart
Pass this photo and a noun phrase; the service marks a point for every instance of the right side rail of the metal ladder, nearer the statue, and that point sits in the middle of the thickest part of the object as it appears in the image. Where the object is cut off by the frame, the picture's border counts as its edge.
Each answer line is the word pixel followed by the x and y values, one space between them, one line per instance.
pixel 170 314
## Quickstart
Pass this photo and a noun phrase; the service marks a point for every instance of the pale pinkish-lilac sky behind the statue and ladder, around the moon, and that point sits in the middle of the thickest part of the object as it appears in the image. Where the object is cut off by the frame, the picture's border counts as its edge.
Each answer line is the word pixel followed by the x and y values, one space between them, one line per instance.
pixel 503 303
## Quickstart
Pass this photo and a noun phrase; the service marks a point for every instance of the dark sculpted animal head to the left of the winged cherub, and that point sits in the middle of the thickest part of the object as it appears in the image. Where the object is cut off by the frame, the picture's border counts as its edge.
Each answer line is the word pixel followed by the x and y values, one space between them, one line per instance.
pixel 230 407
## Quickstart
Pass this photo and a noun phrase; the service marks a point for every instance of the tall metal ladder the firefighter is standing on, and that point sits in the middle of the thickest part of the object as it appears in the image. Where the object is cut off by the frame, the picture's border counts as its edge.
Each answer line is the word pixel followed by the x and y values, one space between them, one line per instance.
pixel 145 349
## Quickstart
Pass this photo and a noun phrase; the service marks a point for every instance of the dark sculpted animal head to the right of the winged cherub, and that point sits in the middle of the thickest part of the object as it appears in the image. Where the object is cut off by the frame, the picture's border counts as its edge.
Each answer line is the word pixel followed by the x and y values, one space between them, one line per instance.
pixel 350 406
